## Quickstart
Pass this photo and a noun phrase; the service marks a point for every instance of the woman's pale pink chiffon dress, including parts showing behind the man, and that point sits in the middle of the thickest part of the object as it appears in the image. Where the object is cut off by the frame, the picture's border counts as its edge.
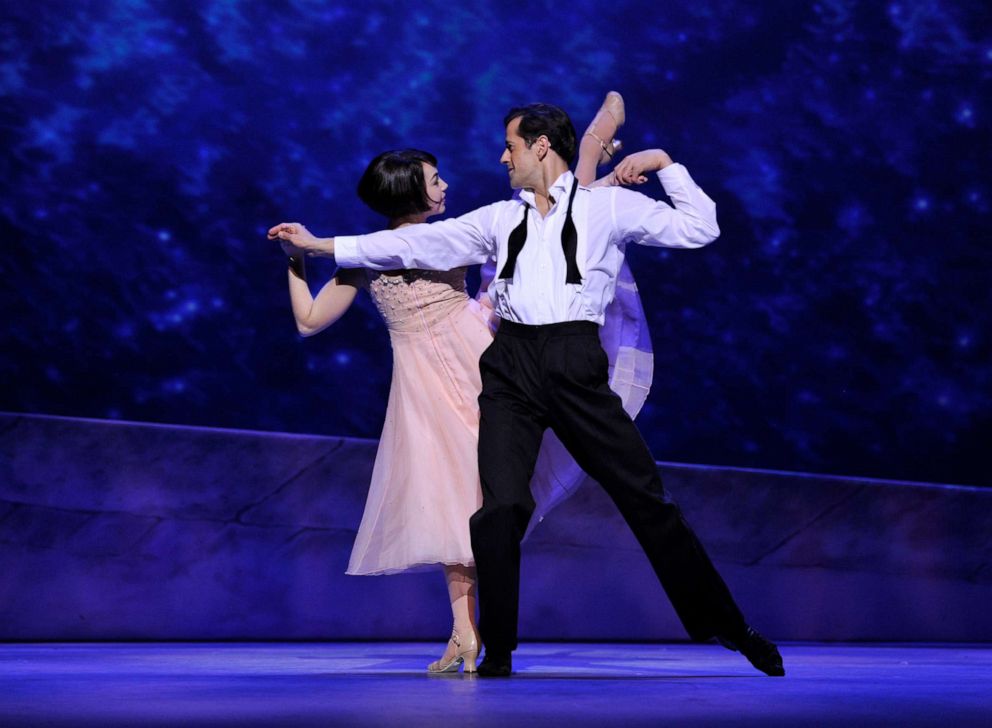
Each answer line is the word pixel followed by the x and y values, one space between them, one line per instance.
pixel 425 481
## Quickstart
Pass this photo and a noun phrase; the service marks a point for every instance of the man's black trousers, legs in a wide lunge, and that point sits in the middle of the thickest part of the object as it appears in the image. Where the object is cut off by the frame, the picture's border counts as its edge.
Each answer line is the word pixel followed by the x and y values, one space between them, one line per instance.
pixel 534 377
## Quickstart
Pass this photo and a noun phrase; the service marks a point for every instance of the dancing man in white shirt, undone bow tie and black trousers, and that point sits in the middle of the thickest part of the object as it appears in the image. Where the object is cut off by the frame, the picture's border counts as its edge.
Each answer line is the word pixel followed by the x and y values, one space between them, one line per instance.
pixel 558 248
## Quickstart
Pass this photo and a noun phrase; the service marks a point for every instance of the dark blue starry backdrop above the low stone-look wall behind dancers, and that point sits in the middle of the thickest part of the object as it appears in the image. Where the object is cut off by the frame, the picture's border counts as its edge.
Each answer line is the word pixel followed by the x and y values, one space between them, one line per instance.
pixel 841 324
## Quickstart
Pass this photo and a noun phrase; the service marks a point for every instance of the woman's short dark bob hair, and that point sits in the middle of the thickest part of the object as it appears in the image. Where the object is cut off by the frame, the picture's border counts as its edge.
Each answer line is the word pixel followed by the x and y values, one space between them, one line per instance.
pixel 393 183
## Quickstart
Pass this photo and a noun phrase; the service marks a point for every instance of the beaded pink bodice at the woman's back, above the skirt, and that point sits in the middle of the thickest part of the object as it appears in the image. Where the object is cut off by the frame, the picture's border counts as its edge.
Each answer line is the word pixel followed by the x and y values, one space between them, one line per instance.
pixel 414 300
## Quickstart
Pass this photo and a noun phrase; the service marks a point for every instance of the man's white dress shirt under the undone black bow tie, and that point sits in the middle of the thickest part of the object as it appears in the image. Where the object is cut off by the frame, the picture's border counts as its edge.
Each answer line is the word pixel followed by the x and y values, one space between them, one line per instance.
pixel 606 219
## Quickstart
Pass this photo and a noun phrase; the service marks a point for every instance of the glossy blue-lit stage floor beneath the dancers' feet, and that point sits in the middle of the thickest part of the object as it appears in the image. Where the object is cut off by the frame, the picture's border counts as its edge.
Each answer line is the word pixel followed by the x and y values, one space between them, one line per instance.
pixel 384 684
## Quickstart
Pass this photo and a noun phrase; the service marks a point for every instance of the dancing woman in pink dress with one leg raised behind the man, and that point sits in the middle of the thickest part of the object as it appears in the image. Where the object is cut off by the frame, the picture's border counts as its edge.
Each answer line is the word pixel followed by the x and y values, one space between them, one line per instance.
pixel 425 481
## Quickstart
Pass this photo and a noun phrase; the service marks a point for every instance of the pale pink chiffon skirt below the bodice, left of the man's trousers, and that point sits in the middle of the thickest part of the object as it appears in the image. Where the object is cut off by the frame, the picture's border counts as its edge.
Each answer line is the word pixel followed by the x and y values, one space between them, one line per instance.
pixel 425 482
